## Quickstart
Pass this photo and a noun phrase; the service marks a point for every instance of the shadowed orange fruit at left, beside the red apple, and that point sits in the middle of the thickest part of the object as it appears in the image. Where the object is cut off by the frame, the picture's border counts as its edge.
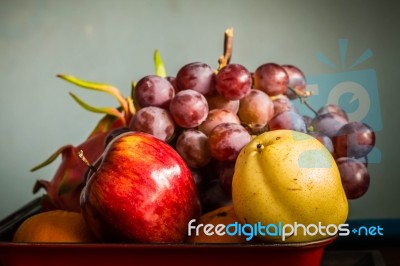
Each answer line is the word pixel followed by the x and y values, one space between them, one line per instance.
pixel 54 226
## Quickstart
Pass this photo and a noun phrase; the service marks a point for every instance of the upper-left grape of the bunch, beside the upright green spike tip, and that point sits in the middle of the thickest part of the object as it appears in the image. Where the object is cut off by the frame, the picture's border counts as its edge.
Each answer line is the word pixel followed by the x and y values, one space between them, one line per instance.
pixel 154 91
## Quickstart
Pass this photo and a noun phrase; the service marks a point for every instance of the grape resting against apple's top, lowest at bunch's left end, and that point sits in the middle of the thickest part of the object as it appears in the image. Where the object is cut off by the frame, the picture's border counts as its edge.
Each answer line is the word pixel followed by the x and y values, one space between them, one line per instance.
pixel 155 121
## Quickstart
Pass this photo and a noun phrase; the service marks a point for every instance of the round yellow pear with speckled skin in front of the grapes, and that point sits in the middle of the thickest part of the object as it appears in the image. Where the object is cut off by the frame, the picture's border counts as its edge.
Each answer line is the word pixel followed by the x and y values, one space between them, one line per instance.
pixel 287 176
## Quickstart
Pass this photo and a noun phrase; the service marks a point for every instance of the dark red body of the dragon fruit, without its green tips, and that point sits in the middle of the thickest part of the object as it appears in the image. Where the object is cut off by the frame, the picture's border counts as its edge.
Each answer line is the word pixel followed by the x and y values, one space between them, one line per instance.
pixel 64 189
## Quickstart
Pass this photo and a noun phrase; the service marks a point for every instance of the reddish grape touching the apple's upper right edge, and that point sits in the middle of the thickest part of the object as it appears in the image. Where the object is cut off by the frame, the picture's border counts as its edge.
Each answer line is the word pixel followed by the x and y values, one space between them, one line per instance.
pixel 193 147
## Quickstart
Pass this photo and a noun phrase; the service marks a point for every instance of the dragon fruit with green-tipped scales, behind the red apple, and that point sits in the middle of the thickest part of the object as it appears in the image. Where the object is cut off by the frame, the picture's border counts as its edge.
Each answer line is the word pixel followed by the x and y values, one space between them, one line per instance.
pixel 64 189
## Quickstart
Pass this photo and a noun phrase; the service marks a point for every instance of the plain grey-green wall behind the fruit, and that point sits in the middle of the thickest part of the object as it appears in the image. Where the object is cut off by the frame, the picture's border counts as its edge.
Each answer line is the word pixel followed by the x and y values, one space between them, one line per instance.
pixel 114 41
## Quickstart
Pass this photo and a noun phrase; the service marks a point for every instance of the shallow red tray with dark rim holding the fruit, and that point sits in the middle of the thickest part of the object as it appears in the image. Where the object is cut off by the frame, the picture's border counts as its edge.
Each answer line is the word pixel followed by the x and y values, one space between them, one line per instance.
pixel 307 253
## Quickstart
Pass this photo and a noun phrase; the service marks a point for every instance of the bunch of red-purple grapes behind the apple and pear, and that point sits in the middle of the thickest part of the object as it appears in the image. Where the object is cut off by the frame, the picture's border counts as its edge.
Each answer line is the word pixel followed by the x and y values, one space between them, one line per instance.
pixel 209 115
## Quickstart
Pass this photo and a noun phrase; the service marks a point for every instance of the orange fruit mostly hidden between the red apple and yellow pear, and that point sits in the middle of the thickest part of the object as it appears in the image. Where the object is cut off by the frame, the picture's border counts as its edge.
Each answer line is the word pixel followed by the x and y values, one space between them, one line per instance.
pixel 223 215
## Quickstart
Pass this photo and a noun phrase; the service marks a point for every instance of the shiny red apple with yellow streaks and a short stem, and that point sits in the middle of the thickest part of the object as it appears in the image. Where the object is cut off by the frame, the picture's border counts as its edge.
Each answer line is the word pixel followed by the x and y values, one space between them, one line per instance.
pixel 142 192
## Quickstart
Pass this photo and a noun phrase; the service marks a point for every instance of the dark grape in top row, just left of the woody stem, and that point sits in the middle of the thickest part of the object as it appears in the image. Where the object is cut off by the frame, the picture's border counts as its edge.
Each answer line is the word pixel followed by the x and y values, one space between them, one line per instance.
pixel 196 76
